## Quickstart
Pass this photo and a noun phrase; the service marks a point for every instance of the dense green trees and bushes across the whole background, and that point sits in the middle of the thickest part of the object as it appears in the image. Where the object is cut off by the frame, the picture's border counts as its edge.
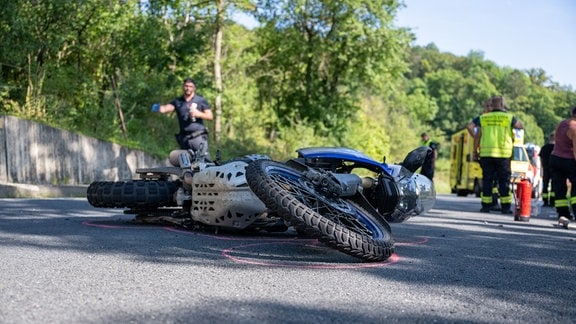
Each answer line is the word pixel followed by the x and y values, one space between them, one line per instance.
pixel 314 72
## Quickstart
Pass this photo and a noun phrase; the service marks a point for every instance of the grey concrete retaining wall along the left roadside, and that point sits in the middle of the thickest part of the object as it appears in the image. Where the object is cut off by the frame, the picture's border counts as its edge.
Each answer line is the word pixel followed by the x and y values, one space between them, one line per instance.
pixel 33 153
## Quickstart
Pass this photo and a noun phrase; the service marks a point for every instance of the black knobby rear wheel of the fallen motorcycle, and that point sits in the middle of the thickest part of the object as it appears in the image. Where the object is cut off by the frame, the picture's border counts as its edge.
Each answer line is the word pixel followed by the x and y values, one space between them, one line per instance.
pixel 132 194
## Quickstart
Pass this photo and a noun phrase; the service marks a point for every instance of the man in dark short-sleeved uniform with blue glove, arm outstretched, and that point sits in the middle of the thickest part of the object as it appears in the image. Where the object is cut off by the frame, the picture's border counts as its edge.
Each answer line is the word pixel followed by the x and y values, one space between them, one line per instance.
pixel 191 110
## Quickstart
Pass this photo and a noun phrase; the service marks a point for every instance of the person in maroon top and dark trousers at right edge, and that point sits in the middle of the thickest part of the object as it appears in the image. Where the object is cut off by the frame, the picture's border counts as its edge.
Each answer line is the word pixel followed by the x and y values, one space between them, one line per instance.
pixel 563 167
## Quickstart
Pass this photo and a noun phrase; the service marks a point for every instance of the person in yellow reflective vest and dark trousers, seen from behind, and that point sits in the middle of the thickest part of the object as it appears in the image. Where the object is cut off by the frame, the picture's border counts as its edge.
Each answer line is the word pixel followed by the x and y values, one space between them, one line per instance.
pixel 494 146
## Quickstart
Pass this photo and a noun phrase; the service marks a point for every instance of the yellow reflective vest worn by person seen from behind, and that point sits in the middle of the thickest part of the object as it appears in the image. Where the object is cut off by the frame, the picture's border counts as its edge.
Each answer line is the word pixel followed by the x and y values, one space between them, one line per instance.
pixel 497 138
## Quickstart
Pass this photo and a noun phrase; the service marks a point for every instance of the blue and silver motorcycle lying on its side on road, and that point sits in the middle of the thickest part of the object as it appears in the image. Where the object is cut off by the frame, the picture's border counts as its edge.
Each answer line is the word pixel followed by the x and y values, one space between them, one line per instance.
pixel 319 193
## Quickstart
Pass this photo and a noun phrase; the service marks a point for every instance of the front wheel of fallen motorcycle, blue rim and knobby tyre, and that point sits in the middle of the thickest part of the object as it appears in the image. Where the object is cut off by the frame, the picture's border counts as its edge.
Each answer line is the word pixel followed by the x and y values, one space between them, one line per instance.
pixel 340 223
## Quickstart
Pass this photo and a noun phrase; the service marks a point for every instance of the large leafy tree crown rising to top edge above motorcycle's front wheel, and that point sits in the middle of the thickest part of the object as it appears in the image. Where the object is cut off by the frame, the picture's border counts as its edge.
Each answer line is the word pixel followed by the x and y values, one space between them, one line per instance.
pixel 318 57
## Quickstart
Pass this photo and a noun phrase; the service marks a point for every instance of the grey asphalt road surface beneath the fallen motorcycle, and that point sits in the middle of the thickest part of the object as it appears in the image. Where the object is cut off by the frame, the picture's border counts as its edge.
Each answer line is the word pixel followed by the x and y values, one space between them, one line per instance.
pixel 63 261
